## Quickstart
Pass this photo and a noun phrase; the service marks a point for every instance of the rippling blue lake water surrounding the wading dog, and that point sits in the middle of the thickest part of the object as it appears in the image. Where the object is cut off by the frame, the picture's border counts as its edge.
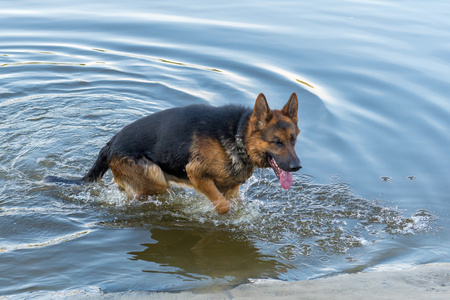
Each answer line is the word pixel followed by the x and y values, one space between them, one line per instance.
pixel 374 193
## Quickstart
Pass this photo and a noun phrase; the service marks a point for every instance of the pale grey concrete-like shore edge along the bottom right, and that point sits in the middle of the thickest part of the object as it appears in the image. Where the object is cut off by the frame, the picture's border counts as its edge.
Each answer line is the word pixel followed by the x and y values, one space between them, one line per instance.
pixel 422 282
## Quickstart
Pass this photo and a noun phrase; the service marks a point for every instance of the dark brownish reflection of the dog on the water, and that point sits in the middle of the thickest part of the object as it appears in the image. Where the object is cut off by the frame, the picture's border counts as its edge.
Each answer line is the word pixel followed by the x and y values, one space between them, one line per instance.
pixel 207 253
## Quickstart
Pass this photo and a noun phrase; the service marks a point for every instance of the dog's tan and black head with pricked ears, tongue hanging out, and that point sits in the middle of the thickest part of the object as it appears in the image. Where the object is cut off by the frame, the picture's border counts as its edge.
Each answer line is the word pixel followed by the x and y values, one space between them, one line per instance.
pixel 271 138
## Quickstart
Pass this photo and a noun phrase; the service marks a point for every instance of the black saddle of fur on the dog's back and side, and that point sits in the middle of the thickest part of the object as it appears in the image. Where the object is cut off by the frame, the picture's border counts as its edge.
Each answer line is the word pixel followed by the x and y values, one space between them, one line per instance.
pixel 165 137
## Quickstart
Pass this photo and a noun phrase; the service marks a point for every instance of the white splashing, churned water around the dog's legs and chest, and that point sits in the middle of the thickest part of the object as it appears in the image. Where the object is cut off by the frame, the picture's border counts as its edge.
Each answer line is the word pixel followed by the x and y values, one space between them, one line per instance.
pixel 309 218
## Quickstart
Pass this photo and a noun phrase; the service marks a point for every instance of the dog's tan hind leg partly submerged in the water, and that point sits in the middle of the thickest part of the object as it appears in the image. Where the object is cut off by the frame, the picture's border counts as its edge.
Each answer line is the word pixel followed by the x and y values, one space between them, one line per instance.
pixel 138 178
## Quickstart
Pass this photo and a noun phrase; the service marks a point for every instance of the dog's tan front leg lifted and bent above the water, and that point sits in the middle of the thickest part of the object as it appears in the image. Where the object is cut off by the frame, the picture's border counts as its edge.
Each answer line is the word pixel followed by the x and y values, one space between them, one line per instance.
pixel 209 189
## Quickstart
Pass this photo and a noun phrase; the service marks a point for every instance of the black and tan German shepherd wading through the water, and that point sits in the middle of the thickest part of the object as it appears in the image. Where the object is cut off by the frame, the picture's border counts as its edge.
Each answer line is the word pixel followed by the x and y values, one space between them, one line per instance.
pixel 213 149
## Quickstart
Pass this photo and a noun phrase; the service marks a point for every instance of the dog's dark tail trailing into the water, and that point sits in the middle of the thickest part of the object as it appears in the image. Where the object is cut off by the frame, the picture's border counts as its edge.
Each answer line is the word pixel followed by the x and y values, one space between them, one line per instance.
pixel 95 173
